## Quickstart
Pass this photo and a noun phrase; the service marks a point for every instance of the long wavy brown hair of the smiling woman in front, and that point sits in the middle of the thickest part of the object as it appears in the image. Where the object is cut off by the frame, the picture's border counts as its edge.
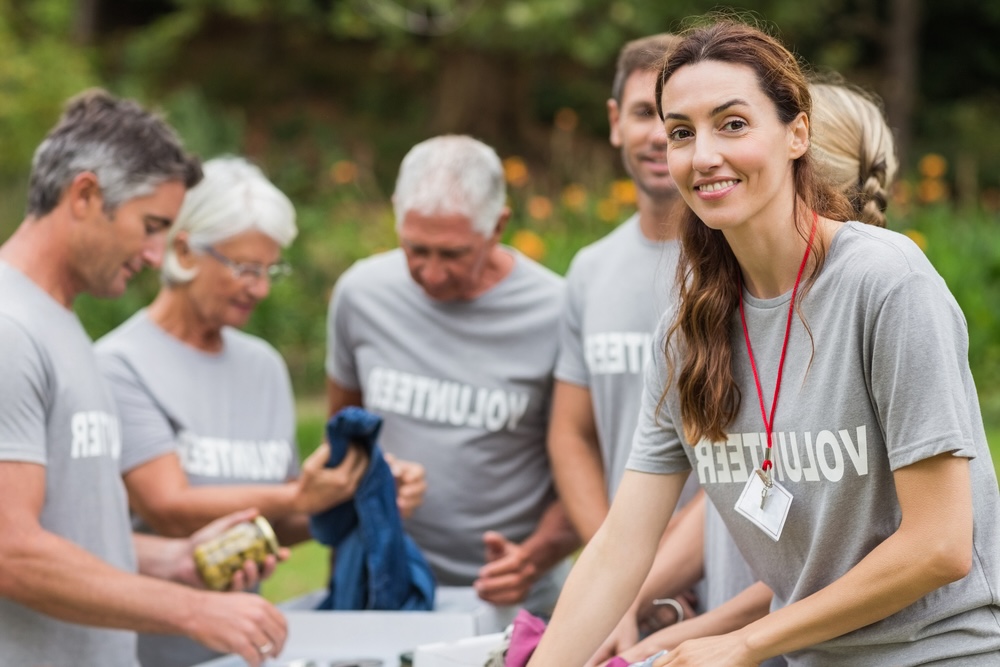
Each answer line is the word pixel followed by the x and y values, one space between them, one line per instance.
pixel 708 275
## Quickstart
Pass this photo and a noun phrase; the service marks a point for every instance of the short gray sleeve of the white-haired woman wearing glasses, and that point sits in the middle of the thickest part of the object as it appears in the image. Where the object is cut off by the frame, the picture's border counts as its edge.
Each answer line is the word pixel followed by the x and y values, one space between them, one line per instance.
pixel 147 432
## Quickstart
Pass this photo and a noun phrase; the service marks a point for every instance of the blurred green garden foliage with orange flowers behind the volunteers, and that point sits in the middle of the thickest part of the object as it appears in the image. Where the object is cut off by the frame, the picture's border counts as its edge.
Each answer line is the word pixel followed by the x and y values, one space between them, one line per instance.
pixel 304 85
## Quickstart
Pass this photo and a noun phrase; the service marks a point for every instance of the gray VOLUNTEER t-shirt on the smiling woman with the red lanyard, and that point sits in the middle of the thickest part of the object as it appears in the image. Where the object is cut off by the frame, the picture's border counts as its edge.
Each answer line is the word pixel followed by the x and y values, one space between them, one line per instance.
pixel 888 384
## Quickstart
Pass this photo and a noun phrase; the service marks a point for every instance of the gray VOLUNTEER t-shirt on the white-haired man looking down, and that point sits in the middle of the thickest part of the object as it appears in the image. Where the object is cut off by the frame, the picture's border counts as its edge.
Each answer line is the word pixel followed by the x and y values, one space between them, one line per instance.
pixel 464 389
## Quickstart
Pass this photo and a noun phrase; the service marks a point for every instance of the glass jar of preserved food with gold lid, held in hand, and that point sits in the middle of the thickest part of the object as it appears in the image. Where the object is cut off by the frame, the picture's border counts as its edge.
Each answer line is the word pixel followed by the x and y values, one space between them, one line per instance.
pixel 220 558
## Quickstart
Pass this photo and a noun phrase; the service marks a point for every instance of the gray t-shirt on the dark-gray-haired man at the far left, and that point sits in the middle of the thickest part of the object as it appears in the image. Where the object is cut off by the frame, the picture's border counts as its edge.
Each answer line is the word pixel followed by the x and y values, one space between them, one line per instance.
pixel 57 411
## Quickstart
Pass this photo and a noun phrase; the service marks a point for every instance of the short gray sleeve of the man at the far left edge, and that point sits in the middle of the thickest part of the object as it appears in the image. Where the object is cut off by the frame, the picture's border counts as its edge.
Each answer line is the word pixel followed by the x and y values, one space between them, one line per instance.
pixel 23 390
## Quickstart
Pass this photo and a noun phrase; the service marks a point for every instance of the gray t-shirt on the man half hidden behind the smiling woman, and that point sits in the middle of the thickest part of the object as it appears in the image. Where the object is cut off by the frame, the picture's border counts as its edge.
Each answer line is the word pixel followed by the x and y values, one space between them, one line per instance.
pixel 616 290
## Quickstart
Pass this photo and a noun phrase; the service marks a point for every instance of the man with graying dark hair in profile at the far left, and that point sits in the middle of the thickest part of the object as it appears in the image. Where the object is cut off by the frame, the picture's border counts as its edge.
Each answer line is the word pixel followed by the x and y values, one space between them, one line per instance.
pixel 105 185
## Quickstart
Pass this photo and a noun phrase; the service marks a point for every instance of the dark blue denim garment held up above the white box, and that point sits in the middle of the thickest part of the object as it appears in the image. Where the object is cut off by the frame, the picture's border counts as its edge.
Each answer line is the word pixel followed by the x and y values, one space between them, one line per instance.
pixel 376 565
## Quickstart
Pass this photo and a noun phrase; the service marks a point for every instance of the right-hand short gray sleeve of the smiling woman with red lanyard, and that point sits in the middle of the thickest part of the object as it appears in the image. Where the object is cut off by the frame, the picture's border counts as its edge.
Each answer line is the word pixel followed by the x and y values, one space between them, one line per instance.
pixel 921 384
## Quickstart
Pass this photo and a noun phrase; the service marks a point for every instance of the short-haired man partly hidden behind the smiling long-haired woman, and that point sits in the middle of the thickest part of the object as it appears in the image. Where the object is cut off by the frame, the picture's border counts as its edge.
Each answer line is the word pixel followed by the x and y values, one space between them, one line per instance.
pixel 617 290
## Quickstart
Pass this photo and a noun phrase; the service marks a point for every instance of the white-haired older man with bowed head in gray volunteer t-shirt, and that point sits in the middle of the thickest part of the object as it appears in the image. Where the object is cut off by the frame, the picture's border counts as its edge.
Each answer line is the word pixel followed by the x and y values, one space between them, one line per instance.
pixel 450 339
